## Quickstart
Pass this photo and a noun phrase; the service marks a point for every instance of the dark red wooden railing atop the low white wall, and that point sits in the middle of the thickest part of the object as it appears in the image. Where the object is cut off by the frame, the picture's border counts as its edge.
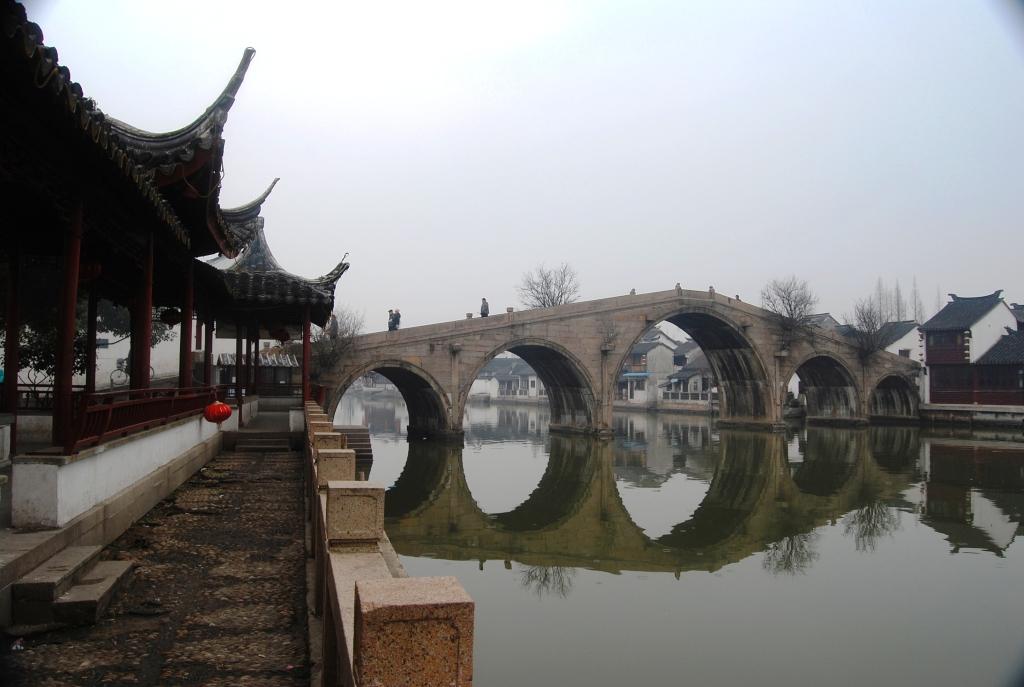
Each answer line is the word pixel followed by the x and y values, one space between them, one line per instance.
pixel 100 417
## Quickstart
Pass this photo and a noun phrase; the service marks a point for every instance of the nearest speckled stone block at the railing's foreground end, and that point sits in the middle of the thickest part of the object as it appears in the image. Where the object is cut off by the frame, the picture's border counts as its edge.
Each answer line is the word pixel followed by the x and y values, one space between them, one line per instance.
pixel 413 631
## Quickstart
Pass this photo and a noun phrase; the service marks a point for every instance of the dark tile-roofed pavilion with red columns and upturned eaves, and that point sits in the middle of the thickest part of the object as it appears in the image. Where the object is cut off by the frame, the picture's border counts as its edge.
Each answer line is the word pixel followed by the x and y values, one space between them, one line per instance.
pixel 107 211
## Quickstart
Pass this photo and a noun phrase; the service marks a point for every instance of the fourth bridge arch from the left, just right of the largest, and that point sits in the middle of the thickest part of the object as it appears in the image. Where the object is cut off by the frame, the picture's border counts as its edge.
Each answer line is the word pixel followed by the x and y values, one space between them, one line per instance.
pixel 830 387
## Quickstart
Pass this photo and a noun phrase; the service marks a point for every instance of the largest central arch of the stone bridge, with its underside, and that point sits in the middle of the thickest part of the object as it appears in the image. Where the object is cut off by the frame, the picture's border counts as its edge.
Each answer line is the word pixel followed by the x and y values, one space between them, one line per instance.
pixel 745 393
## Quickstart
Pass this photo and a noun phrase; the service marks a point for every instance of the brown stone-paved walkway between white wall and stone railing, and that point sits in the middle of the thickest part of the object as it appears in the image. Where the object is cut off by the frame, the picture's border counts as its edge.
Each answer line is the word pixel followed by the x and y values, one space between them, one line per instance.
pixel 219 596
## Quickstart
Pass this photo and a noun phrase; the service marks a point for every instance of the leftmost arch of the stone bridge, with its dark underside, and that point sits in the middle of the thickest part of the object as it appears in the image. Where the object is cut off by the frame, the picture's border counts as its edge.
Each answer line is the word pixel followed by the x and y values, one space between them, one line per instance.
pixel 430 410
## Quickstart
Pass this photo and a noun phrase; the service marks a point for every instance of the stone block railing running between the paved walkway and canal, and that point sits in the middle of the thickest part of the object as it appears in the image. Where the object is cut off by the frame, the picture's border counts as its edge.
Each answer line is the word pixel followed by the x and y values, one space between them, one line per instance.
pixel 380 627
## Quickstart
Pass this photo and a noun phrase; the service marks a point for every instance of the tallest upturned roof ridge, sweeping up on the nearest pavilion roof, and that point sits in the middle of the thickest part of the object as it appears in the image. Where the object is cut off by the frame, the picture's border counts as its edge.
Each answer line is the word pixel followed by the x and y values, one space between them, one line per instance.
pixel 150 145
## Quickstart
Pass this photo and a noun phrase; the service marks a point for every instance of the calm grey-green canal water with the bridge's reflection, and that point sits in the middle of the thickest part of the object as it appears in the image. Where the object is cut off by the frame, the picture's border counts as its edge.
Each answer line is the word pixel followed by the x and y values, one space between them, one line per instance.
pixel 684 554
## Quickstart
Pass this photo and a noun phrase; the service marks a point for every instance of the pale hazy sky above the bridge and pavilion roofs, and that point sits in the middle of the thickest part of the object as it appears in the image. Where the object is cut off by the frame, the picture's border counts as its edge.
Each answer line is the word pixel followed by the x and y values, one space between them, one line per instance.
pixel 450 147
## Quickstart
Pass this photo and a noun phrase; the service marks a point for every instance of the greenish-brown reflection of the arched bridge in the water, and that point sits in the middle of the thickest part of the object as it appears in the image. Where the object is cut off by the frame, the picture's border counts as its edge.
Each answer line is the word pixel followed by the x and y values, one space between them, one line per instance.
pixel 576 518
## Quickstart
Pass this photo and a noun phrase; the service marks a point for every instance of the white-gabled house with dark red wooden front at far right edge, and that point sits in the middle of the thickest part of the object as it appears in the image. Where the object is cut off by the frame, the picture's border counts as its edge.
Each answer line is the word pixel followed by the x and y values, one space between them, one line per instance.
pixel 973 353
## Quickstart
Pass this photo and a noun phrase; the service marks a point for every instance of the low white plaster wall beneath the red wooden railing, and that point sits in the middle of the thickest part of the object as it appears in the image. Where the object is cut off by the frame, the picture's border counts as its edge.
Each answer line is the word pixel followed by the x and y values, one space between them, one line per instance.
pixel 51 496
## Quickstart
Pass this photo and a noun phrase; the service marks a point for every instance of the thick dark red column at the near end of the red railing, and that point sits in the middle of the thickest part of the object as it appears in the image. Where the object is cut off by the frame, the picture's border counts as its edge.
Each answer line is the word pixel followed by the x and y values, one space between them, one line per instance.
pixel 65 368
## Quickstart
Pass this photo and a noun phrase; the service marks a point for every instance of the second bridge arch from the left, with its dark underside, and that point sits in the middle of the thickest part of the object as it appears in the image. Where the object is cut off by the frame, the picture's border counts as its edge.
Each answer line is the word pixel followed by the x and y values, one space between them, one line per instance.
pixel 569 387
